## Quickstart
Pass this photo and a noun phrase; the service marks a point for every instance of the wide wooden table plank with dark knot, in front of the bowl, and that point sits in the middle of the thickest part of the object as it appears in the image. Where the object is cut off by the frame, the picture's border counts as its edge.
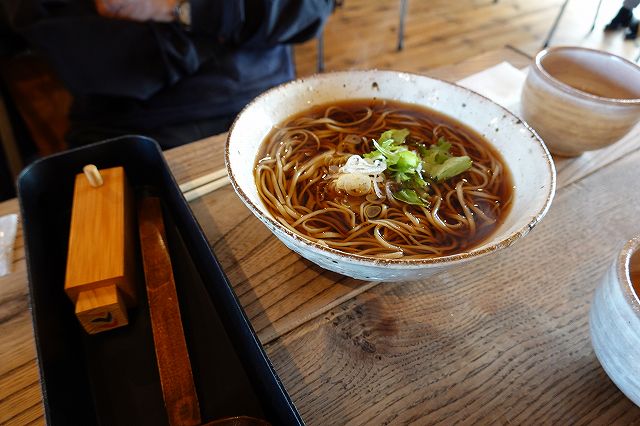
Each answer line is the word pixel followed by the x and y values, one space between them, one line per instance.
pixel 502 340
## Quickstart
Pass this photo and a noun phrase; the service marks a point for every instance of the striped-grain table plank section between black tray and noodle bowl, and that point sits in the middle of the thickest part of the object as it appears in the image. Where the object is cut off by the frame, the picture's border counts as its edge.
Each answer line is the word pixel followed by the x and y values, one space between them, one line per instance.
pixel 277 288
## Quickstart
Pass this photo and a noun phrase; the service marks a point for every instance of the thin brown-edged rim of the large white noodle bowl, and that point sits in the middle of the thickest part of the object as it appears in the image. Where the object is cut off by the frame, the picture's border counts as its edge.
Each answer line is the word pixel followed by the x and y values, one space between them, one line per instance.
pixel 453 258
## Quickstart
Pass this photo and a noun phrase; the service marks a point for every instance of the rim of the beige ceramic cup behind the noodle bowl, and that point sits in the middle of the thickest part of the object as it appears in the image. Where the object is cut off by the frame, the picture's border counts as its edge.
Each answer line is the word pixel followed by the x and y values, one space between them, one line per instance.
pixel 572 90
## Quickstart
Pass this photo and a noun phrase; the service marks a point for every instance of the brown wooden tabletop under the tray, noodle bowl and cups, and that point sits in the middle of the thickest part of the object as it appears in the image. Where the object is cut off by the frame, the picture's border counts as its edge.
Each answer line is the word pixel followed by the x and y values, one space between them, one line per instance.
pixel 503 340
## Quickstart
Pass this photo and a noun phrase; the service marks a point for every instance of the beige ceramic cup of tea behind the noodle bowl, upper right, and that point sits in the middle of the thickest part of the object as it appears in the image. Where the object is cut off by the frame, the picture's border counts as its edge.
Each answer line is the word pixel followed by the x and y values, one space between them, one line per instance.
pixel 580 99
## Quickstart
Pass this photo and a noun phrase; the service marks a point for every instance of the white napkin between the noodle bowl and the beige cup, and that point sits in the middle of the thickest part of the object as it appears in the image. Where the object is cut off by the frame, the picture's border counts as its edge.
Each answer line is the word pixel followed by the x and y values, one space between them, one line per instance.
pixel 501 83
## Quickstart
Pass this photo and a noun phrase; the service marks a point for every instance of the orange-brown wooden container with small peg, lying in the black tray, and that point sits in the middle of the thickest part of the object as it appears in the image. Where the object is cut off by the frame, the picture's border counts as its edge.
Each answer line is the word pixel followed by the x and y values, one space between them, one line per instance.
pixel 101 250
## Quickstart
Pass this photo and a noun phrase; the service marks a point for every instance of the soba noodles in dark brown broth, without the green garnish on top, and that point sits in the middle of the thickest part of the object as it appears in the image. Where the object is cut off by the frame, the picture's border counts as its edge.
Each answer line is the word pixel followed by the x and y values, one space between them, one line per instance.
pixel 299 170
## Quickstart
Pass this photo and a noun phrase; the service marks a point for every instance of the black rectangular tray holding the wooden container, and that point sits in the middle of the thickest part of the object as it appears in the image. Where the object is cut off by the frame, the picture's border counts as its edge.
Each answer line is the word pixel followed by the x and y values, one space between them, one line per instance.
pixel 111 378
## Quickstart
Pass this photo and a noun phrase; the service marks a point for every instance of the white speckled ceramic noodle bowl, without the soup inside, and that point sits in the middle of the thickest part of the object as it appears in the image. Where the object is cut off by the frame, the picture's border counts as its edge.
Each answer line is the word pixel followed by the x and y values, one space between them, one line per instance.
pixel 530 163
